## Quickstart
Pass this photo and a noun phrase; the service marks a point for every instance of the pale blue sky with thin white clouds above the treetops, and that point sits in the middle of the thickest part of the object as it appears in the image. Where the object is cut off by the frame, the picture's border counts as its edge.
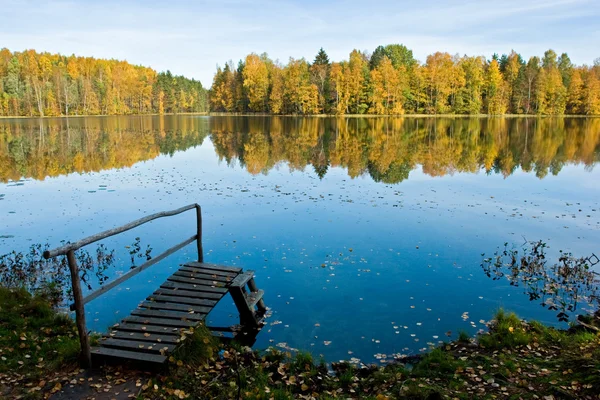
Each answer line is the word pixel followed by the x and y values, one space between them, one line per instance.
pixel 191 37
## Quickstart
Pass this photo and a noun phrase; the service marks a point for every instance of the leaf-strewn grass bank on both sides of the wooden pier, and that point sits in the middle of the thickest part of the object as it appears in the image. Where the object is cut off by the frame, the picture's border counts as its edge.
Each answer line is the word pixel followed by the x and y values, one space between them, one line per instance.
pixel 515 359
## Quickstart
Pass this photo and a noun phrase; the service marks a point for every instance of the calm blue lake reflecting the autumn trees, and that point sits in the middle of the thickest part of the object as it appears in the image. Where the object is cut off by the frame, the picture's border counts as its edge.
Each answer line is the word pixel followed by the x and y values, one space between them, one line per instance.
pixel 365 233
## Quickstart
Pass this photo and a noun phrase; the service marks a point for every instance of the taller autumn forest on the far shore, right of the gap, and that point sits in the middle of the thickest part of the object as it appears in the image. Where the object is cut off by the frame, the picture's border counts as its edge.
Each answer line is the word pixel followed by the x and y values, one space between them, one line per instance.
pixel 391 81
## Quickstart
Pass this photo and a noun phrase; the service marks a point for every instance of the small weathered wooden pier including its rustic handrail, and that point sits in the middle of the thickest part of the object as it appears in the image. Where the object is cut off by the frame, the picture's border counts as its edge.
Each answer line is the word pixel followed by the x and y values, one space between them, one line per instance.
pixel 154 330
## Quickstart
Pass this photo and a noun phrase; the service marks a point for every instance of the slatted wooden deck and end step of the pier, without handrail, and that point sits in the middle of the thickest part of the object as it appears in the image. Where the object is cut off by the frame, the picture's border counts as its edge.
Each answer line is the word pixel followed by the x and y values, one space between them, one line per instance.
pixel 183 301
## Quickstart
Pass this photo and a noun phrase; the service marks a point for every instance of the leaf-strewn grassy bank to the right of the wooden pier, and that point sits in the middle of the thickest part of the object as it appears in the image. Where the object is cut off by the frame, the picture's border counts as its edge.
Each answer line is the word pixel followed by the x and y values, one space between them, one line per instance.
pixel 515 359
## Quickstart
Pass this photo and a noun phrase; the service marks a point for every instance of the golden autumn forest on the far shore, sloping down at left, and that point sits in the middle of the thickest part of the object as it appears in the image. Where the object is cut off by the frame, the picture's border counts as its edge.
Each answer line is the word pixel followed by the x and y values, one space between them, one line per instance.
pixel 44 84
